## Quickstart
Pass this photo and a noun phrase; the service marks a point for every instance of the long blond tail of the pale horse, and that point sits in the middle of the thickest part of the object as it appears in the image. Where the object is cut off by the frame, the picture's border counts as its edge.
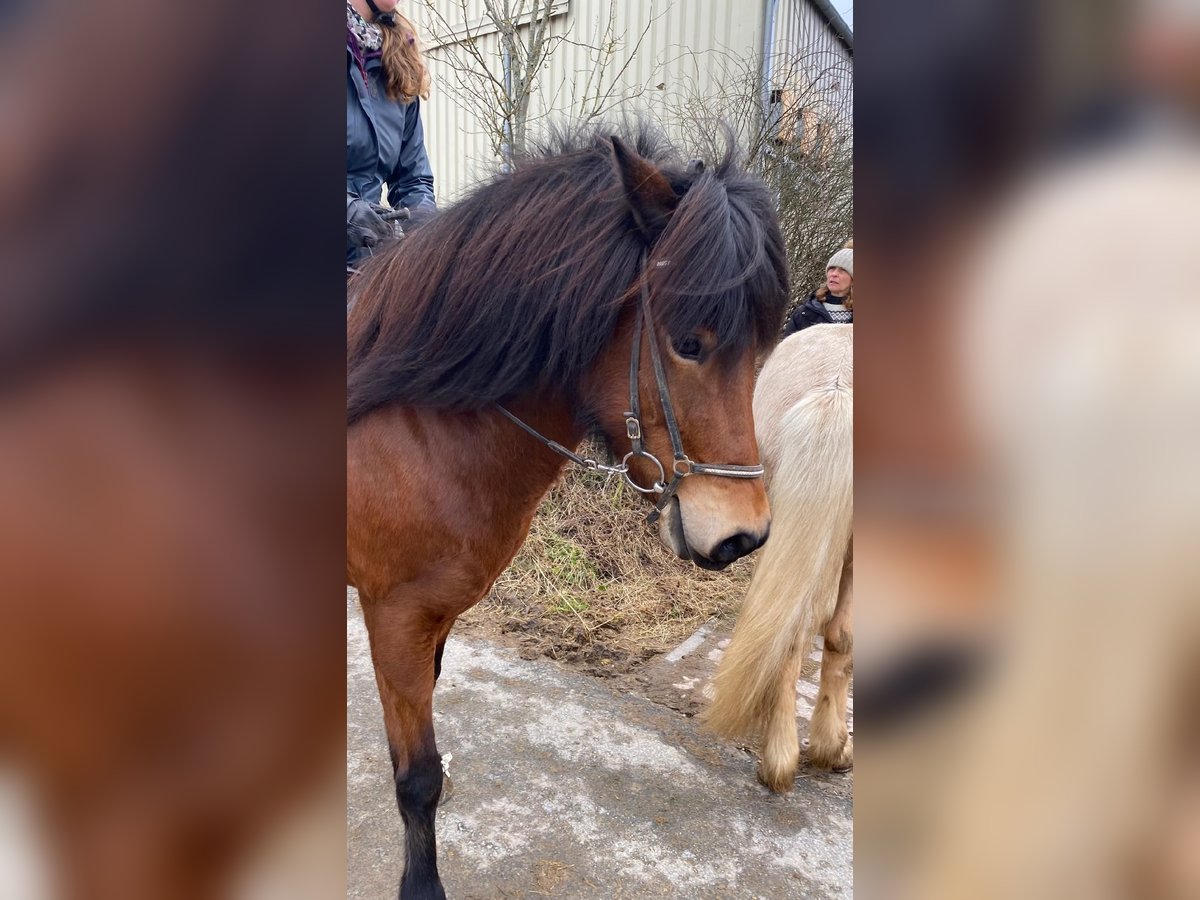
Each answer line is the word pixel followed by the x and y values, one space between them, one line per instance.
pixel 809 460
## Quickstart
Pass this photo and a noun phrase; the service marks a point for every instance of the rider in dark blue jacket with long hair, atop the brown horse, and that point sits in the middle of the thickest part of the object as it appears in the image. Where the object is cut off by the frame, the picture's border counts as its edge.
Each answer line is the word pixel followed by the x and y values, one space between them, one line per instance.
pixel 386 79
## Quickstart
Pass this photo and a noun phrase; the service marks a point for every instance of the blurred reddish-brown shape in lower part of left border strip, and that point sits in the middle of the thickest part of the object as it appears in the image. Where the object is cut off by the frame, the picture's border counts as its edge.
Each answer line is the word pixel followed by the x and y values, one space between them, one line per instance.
pixel 165 671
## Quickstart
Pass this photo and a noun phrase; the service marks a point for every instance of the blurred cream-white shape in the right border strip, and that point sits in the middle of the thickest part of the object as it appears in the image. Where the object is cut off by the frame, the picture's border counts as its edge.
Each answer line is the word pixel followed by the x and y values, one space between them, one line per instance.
pixel 1082 355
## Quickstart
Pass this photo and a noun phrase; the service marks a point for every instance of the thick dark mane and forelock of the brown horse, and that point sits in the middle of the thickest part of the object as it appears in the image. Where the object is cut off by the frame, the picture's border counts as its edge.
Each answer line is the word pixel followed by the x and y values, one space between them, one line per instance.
pixel 523 281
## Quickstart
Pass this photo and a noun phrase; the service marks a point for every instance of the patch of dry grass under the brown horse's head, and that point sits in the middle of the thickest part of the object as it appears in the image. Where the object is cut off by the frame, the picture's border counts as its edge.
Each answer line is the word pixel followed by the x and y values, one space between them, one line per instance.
pixel 593 585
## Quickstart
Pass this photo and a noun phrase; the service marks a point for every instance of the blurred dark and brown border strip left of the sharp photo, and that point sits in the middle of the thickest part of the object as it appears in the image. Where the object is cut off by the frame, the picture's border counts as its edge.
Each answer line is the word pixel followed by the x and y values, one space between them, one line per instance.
pixel 172 658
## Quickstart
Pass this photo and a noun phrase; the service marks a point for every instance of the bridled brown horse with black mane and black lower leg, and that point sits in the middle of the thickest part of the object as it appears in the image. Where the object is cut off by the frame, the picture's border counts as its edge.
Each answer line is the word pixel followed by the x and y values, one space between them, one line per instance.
pixel 531 293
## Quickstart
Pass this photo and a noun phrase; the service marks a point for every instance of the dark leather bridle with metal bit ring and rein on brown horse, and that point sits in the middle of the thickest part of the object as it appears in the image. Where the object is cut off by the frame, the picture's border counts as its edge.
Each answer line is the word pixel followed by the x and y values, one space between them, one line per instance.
pixel 682 466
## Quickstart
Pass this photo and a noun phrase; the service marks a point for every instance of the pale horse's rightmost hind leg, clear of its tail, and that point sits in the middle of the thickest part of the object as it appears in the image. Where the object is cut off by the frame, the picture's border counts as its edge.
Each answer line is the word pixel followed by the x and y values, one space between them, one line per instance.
pixel 830 743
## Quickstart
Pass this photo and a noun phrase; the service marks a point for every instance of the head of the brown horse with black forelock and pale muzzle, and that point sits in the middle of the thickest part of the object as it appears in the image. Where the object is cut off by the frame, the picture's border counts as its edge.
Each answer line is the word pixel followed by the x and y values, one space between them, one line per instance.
pixel 715 285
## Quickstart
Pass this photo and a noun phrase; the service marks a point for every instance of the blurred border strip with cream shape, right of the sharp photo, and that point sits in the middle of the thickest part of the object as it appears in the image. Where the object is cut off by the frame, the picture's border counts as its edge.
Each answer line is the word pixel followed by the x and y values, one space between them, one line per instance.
pixel 1028 431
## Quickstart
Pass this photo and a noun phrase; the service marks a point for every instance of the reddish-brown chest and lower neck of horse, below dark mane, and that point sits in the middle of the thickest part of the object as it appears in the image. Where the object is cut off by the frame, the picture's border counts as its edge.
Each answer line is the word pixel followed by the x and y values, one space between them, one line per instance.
pixel 436 485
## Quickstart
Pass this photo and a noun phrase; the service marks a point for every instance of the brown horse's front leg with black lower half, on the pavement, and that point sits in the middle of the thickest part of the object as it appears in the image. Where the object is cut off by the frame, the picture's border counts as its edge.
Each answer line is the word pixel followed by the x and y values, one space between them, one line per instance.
pixel 405 645
